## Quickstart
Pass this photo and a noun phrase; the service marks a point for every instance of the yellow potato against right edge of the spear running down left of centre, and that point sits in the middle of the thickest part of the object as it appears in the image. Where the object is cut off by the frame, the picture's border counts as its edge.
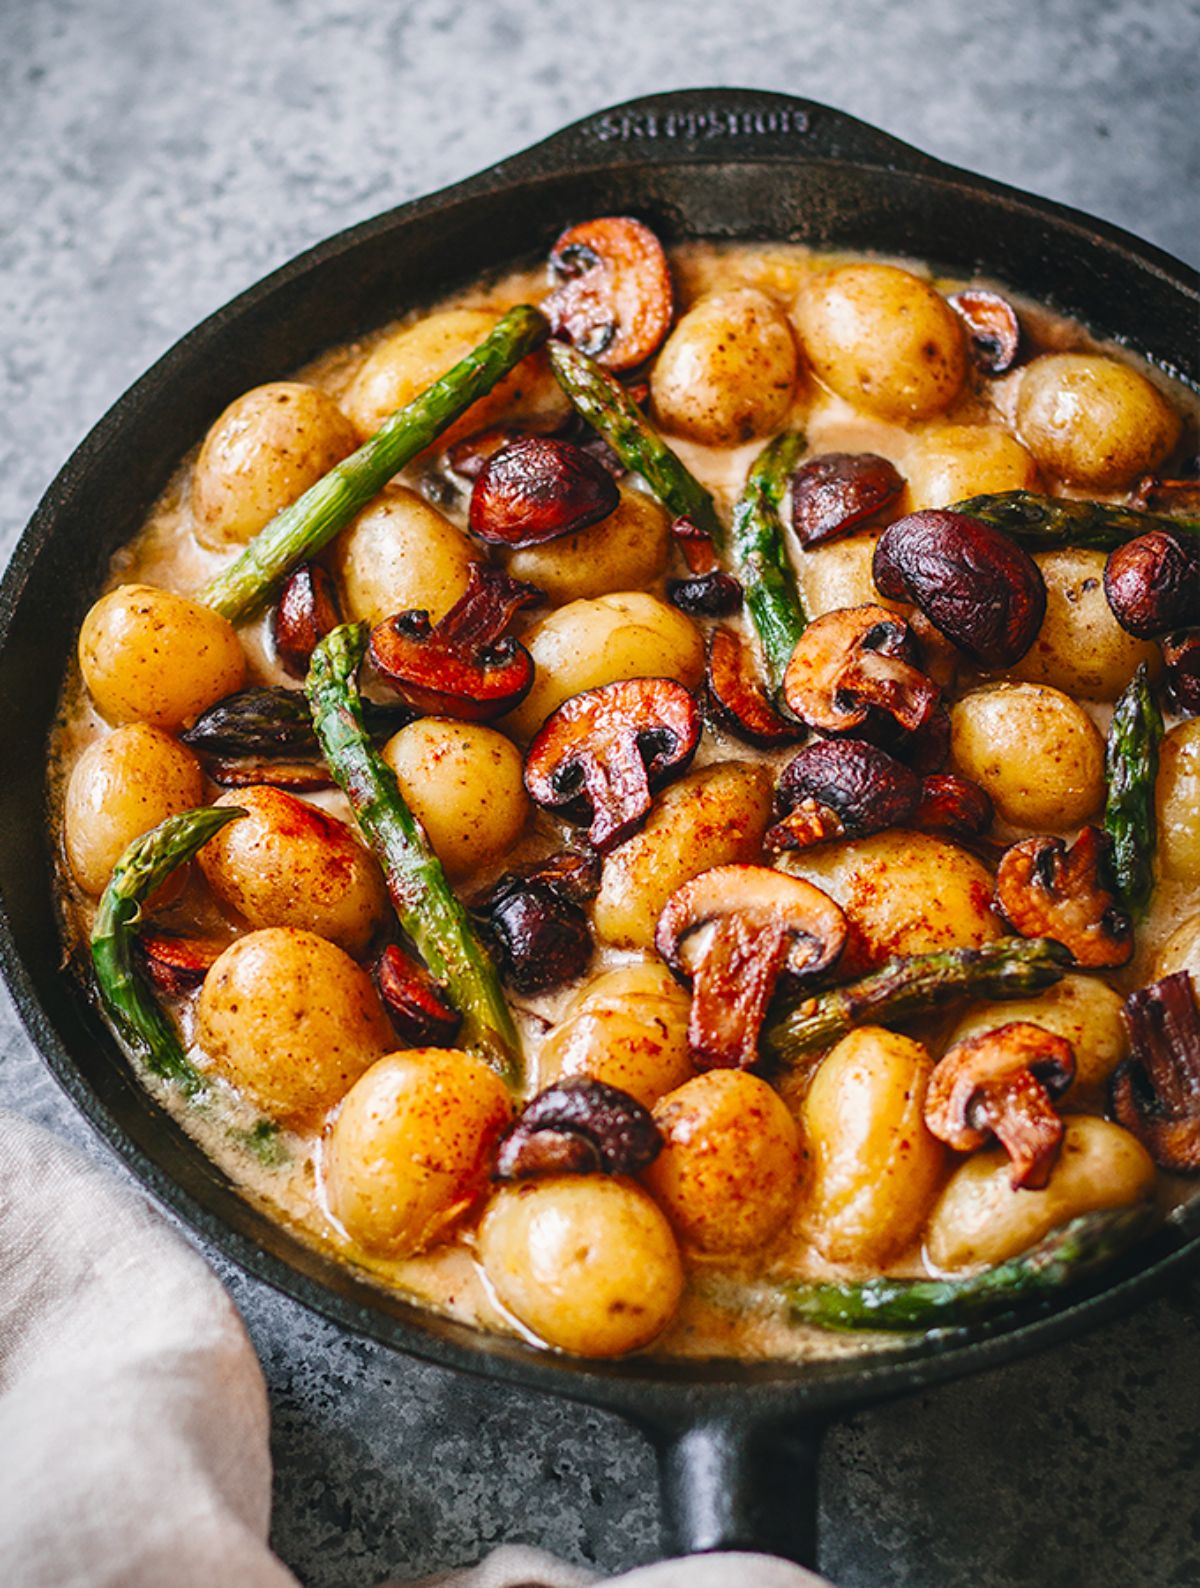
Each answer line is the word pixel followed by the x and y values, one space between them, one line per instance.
pixel 464 784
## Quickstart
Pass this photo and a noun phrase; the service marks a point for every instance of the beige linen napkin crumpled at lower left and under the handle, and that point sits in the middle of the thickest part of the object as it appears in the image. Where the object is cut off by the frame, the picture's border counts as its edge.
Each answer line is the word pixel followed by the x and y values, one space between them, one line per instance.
pixel 134 1414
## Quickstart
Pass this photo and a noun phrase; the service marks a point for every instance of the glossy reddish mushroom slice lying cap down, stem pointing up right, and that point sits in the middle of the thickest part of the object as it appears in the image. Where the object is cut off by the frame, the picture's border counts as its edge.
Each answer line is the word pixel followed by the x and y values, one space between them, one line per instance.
pixel 466 666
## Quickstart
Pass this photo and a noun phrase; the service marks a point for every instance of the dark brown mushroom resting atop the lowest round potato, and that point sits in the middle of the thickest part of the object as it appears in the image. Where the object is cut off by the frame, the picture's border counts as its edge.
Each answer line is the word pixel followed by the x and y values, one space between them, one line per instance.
pixel 579 1127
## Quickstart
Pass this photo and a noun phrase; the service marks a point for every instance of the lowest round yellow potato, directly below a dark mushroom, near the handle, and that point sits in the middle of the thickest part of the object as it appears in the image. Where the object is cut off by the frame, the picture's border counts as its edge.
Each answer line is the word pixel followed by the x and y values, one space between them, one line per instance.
pixel 588 1263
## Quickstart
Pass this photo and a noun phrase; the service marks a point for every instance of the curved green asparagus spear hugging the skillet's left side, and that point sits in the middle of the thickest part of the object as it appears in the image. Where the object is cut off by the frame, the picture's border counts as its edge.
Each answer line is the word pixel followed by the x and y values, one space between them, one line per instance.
pixel 145 866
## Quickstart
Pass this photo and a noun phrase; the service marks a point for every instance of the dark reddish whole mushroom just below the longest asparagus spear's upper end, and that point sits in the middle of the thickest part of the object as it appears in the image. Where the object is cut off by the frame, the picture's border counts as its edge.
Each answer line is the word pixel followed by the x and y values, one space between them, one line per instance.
pixel 539 490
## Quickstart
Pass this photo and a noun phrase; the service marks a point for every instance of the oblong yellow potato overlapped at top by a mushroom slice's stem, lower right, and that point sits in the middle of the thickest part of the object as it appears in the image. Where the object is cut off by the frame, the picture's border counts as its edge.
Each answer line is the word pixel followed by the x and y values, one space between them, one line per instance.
pixel 982 1220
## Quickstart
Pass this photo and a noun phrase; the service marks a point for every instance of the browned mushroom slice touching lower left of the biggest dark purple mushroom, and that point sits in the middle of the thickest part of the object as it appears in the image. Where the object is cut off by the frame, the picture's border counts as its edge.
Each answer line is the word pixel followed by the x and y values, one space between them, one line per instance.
pixel 855 666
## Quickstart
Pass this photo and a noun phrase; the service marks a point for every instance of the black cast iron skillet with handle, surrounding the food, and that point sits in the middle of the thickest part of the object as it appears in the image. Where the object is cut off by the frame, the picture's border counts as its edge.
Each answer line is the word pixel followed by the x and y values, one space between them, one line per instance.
pixel 739 1441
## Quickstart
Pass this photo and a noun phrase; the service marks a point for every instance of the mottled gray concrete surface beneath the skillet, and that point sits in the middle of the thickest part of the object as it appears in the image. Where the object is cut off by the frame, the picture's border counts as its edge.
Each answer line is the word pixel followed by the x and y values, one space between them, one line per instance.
pixel 155 160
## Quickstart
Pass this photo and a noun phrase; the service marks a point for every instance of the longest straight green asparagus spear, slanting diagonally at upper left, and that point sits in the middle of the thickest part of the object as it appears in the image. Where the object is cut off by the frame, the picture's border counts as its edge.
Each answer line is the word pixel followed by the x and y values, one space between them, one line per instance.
pixel 310 523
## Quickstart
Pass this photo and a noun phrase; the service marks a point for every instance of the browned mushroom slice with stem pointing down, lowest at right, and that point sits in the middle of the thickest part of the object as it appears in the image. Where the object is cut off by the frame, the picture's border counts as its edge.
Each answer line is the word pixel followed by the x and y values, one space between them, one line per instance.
pixel 1004 1084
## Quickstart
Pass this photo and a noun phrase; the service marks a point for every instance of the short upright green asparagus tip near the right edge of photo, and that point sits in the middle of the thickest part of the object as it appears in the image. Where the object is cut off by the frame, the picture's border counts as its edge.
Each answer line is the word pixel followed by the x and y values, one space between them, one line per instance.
pixel 1133 768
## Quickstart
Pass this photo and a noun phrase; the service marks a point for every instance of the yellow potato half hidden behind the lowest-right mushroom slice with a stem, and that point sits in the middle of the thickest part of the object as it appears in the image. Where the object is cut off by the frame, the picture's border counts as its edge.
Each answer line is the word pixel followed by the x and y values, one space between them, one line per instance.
pixel 1083 1011
